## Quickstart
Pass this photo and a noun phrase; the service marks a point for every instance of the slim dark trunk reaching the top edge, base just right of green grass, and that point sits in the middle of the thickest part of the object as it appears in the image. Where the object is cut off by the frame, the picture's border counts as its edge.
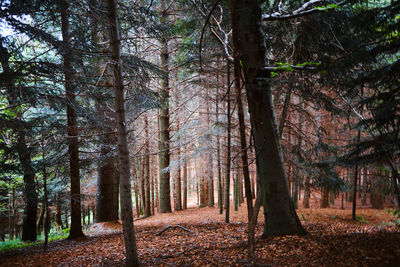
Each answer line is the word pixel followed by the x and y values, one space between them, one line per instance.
pixel 76 227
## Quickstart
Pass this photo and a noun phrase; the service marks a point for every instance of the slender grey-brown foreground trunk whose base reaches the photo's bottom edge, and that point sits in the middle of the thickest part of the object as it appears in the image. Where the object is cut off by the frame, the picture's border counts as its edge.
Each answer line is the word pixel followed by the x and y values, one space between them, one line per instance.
pixel 123 151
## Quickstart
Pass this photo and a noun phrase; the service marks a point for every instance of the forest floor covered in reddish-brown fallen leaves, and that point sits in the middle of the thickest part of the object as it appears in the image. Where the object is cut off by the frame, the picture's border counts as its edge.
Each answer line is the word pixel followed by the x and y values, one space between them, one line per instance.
pixel 333 240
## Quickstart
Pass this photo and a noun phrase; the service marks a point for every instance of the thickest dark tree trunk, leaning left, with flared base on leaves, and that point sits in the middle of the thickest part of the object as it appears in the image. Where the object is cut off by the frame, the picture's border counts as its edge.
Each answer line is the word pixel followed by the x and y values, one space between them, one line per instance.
pixel 282 218
